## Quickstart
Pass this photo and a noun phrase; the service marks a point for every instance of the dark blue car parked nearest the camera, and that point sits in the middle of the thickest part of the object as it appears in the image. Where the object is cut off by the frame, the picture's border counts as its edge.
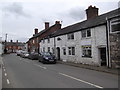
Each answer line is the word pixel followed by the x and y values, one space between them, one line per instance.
pixel 47 57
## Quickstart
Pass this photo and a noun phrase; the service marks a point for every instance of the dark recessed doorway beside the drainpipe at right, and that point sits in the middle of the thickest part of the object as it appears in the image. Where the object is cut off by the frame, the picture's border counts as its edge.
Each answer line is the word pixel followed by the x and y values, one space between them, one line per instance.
pixel 103 56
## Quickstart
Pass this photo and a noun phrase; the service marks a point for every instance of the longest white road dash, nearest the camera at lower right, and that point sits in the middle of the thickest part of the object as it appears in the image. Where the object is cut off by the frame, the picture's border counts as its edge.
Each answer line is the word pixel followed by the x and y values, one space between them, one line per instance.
pixel 81 80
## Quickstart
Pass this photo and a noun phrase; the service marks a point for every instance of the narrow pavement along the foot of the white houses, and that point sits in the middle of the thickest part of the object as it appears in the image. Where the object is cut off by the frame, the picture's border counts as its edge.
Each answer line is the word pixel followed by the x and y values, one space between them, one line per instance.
pixel 91 67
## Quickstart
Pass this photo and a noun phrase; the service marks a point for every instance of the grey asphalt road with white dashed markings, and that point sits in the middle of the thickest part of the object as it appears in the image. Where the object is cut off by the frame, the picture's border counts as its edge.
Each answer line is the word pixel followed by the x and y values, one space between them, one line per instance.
pixel 25 73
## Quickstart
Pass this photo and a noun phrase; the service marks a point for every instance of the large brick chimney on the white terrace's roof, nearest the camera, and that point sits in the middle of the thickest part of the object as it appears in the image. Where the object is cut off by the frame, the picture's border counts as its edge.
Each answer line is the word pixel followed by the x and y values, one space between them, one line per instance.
pixel 91 12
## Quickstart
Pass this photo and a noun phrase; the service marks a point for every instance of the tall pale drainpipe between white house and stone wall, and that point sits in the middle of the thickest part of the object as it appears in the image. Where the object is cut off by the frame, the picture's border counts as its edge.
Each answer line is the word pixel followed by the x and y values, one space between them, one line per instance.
pixel 108 43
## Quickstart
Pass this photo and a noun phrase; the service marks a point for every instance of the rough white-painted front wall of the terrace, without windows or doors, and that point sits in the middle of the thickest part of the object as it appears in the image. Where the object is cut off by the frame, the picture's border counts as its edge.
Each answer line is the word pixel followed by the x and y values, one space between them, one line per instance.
pixel 96 41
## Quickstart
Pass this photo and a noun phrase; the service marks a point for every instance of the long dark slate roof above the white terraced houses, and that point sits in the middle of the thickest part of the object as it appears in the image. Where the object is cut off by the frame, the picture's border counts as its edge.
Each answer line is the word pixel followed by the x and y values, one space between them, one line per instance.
pixel 97 21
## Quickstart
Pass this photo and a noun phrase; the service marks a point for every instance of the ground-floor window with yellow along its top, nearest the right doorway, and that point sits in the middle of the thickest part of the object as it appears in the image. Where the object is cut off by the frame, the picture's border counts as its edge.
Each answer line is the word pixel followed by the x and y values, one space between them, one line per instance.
pixel 86 51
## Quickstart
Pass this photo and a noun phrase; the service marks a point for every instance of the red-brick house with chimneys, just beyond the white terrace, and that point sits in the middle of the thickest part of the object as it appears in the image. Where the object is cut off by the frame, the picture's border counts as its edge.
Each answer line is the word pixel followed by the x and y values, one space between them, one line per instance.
pixel 33 42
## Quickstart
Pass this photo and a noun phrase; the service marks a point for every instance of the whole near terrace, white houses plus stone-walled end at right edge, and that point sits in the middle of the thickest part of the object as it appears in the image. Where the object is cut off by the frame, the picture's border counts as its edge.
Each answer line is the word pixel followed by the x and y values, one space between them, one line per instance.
pixel 88 42
